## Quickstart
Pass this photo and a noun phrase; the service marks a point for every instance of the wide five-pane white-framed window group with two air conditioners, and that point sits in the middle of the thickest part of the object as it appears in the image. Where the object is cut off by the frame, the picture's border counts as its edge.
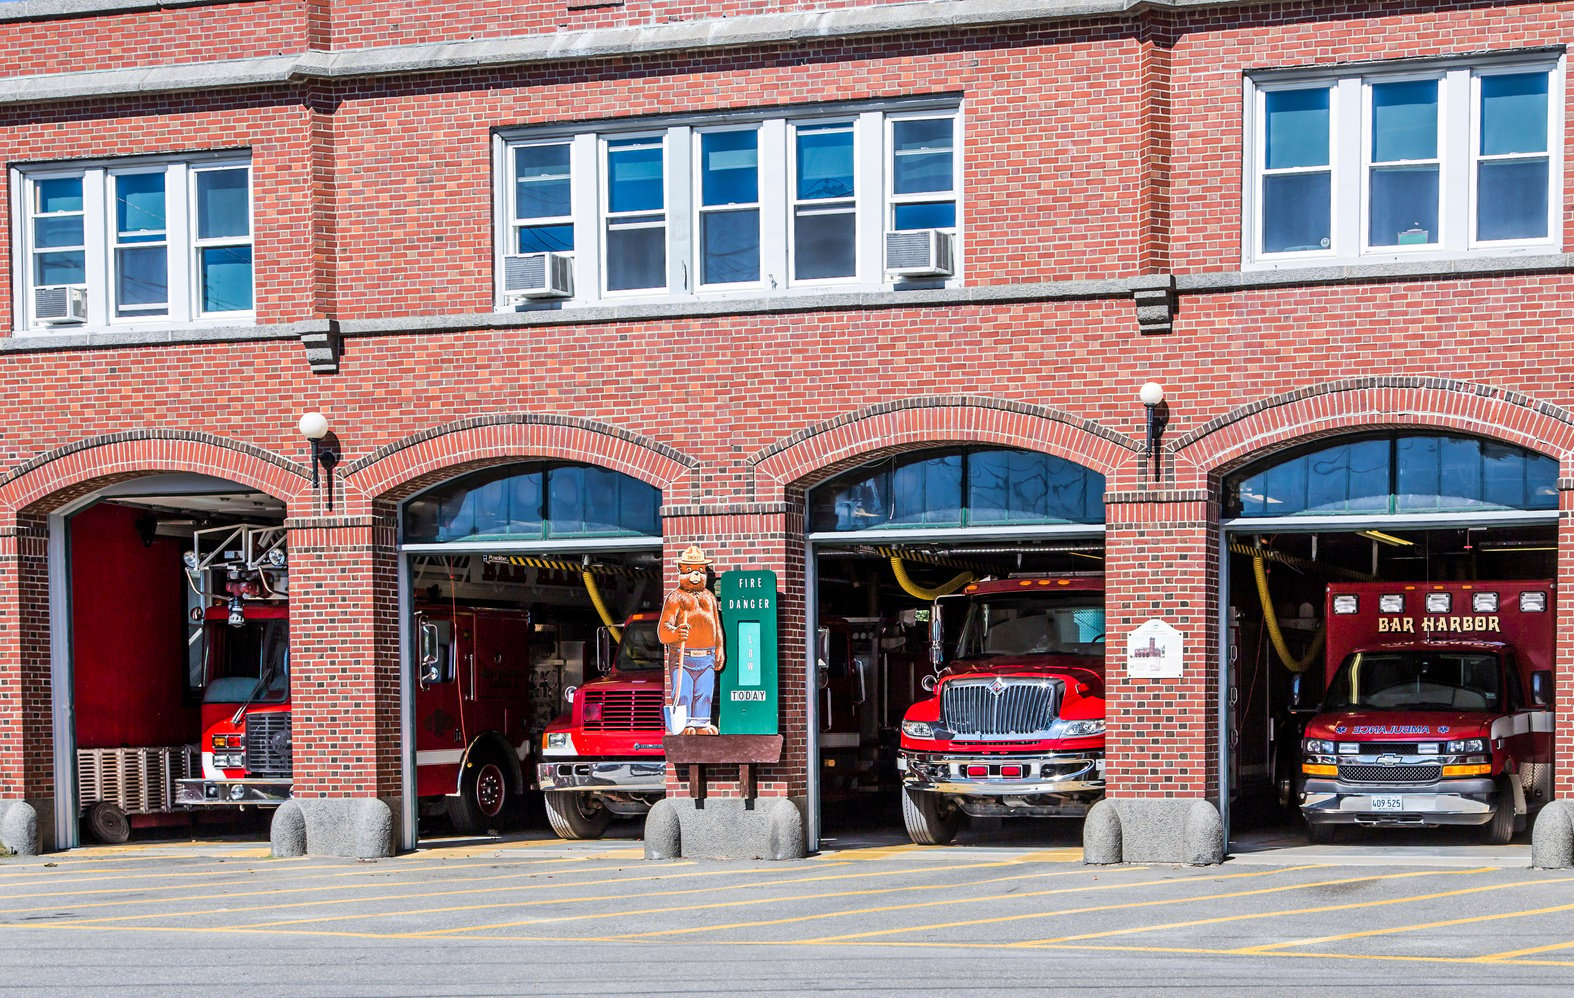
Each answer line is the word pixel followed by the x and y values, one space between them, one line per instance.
pixel 734 205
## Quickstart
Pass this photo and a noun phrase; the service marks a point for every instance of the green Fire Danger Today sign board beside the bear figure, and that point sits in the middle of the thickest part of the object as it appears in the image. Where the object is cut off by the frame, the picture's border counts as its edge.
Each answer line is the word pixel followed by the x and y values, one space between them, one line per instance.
pixel 748 682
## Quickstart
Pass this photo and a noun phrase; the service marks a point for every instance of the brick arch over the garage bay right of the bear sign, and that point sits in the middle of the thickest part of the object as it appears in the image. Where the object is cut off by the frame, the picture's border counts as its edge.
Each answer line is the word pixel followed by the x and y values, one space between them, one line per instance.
pixel 822 451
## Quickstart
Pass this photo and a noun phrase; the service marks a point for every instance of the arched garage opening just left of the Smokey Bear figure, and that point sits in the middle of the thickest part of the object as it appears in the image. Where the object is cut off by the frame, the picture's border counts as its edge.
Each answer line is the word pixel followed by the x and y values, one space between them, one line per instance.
pixel 533 662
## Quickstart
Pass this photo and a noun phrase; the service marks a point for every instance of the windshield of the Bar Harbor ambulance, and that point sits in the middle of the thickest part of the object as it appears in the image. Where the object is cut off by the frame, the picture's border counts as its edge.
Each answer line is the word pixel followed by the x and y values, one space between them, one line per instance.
pixel 1416 679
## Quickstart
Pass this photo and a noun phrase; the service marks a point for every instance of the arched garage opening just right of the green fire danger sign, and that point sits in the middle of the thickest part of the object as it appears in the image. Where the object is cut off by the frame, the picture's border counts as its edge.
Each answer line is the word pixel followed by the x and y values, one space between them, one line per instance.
pixel 980 564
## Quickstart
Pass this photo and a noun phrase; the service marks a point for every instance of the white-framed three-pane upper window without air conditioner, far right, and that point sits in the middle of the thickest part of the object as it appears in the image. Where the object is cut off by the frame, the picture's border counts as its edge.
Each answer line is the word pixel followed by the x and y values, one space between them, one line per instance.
pixel 1392 164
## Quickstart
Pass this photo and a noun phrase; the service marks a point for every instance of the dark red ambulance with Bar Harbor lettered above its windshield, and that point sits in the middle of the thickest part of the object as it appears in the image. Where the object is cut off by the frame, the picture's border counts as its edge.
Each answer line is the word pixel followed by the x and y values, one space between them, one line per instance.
pixel 1438 708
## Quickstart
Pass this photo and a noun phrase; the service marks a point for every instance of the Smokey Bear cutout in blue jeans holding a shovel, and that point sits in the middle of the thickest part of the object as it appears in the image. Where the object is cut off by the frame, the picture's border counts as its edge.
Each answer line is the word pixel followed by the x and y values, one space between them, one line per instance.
pixel 692 632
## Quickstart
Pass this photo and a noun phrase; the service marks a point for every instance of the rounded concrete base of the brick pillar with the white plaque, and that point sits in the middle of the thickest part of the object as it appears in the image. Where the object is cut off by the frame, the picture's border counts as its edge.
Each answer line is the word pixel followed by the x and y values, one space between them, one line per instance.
pixel 1155 830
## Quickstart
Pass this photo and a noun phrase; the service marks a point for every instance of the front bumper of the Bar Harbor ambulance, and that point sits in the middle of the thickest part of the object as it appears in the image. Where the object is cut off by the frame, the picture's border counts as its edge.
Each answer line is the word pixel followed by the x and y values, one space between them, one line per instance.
pixel 1452 802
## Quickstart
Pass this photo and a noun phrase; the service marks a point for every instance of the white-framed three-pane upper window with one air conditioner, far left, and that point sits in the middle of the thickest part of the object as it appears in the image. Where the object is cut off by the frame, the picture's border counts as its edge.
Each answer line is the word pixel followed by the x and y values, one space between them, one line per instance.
pixel 135 242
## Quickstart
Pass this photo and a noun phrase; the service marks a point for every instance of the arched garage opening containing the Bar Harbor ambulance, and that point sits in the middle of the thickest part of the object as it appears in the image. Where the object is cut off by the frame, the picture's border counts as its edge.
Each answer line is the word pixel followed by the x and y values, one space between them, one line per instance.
pixel 1403 580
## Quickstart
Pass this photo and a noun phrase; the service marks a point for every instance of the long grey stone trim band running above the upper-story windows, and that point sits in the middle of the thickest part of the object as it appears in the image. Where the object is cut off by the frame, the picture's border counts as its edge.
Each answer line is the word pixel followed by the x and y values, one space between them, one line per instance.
pixel 881 20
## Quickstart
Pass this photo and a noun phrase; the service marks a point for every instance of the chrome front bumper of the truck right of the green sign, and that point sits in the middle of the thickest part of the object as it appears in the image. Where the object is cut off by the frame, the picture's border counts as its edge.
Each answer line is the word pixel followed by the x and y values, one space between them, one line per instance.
pixel 1052 783
